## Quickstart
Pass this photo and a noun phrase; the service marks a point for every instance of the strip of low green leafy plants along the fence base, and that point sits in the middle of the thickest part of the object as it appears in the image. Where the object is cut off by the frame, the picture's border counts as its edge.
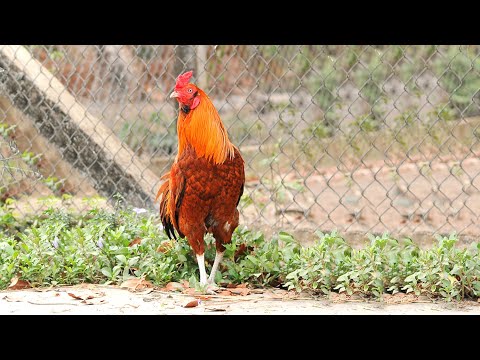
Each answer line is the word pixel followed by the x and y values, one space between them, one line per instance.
pixel 95 247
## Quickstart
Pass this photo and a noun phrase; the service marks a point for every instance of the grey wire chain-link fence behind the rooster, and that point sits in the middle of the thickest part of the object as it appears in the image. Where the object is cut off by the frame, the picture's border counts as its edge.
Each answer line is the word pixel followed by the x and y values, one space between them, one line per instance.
pixel 355 138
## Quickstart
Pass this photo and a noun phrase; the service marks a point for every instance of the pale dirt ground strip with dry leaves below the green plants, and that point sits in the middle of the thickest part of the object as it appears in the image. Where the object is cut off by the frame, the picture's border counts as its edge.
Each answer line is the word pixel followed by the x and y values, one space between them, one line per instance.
pixel 113 300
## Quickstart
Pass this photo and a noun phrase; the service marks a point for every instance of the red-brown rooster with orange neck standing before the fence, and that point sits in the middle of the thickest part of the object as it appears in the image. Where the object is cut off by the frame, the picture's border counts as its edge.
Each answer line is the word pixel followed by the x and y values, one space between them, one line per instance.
pixel 203 188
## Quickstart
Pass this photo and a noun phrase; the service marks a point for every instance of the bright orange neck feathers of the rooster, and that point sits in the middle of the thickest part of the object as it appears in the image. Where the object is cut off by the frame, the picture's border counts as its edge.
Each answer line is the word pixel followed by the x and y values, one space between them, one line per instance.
pixel 202 129
